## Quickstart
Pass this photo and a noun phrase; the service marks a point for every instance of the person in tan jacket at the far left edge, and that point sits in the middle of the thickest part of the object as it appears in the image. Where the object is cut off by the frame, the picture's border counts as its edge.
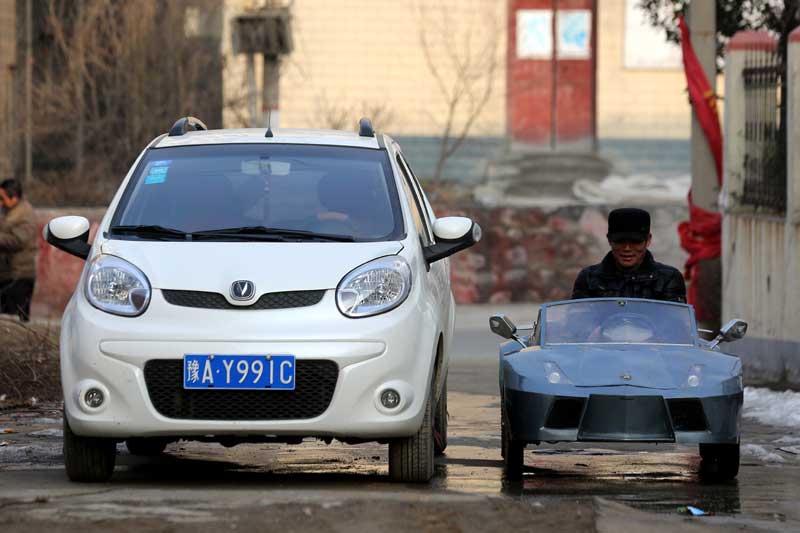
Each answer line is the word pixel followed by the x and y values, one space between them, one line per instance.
pixel 18 246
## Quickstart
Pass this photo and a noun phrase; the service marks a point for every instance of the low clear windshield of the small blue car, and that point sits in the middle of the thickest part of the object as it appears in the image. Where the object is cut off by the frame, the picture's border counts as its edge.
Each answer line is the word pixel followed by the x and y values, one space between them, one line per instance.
pixel 617 322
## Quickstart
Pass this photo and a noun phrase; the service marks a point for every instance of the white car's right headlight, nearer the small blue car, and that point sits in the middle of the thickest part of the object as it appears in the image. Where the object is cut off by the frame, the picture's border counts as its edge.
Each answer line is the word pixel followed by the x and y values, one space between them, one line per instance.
pixel 374 287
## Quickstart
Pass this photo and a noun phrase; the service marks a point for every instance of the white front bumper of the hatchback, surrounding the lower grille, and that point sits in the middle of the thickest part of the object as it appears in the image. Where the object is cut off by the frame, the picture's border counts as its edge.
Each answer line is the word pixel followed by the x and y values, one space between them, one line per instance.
pixel 396 349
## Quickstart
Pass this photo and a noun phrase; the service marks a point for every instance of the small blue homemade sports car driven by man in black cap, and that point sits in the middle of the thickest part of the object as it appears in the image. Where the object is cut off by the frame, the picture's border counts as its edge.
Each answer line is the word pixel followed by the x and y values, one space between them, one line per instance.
pixel 620 370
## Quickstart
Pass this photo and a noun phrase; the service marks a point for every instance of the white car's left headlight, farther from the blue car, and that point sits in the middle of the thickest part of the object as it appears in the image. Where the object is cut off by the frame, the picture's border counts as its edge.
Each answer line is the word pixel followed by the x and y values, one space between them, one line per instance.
pixel 116 286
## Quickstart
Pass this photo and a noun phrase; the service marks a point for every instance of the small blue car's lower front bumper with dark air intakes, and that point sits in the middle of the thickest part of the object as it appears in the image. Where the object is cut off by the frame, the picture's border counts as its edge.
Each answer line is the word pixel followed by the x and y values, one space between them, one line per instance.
pixel 611 414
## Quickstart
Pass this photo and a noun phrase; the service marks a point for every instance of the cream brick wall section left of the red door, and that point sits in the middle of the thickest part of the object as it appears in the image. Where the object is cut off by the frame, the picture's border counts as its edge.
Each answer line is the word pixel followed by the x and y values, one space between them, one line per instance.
pixel 353 58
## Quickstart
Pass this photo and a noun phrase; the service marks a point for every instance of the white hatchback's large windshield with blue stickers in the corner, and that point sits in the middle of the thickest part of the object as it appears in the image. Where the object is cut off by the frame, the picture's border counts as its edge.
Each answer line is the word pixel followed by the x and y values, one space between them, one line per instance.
pixel 320 189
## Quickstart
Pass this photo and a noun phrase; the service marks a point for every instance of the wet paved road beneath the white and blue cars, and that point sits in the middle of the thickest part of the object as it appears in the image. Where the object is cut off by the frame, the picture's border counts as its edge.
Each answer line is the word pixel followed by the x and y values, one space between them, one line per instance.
pixel 342 488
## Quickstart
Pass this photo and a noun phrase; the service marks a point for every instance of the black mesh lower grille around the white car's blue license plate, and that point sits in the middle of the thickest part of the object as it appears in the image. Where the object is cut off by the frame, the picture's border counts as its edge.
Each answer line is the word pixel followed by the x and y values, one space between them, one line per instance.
pixel 315 381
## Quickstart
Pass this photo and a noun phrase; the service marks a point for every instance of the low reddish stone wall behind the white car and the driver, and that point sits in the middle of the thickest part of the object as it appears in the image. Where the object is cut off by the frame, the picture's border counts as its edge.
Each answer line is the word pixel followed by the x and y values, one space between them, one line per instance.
pixel 526 254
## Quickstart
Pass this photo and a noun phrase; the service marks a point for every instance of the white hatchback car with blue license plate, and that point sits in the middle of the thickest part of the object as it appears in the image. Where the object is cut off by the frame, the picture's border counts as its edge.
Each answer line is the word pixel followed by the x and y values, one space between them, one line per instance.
pixel 258 286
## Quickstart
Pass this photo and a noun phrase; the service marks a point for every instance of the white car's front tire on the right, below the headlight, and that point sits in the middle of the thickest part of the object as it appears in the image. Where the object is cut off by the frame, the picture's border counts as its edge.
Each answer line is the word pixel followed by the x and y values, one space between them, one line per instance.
pixel 411 458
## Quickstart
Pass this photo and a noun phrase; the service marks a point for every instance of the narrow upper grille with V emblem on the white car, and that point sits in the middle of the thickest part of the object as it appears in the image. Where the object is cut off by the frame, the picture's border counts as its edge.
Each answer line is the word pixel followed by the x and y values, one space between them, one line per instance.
pixel 270 300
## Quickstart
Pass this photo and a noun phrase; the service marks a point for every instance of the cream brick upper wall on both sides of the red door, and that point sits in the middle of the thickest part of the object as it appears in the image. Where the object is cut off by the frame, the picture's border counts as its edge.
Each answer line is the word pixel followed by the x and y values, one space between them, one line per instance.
pixel 355 54
